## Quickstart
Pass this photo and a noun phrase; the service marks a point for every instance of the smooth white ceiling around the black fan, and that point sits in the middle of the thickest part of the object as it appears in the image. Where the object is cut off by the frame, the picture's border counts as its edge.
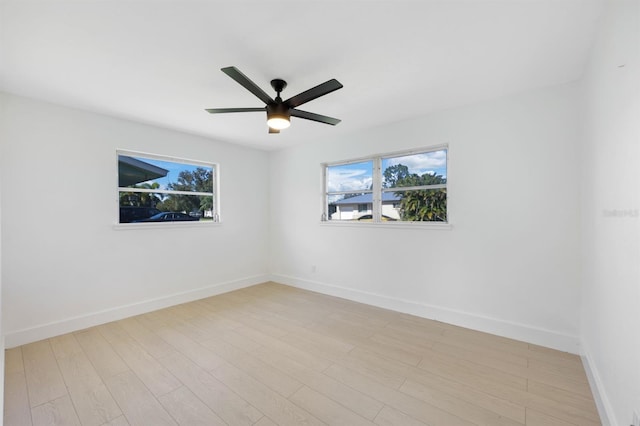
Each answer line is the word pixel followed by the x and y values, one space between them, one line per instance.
pixel 159 62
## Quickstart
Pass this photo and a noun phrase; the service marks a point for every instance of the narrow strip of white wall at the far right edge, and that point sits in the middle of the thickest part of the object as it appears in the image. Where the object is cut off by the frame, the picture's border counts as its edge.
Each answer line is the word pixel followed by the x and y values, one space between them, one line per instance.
pixel 611 210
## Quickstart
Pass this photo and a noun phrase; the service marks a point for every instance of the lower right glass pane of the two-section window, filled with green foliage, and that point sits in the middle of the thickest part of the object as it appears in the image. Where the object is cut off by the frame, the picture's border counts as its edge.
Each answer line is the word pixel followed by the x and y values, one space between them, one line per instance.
pixel 424 205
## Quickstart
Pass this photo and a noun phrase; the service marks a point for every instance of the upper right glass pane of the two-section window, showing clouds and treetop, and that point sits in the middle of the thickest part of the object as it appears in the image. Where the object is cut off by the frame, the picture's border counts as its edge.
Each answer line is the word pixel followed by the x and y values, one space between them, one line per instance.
pixel 428 168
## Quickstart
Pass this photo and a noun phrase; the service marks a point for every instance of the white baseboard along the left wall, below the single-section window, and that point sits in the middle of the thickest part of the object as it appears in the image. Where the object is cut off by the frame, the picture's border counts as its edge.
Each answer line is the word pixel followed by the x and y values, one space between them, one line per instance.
pixel 56 328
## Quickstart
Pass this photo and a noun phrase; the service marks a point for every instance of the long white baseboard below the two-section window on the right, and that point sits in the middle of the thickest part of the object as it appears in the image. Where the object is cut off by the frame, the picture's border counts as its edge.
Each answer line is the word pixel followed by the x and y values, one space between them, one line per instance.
pixel 512 330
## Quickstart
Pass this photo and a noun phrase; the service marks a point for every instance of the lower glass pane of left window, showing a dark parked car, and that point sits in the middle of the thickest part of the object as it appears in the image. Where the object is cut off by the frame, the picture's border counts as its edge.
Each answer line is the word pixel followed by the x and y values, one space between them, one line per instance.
pixel 147 207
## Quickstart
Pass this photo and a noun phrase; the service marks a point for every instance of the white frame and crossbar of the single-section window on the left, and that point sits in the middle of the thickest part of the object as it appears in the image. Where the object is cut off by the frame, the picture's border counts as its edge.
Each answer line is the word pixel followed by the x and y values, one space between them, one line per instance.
pixel 216 217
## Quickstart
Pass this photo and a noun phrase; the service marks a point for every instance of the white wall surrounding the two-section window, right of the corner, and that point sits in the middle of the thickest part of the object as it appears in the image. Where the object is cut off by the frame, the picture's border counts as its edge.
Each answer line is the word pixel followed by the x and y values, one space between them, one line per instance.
pixel 509 264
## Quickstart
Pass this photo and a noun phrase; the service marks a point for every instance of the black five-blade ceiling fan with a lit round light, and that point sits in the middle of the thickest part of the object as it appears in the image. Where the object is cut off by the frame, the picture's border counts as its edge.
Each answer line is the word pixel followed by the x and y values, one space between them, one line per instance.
pixel 278 111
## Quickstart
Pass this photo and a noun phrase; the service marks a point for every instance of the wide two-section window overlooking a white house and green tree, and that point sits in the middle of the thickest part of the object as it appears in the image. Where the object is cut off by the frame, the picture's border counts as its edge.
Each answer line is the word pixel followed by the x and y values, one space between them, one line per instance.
pixel 399 187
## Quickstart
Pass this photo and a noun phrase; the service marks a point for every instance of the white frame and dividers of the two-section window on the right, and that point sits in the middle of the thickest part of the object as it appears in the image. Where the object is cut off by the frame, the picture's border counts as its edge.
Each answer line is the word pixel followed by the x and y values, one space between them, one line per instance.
pixel 377 191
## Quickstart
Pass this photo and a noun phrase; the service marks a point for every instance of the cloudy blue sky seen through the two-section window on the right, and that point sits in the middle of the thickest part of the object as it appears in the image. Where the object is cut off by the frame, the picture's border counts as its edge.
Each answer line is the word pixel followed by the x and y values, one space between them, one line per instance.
pixel 358 176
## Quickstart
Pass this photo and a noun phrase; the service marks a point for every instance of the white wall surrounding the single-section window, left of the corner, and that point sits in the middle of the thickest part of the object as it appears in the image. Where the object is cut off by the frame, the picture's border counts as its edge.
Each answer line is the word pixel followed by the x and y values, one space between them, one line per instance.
pixel 64 266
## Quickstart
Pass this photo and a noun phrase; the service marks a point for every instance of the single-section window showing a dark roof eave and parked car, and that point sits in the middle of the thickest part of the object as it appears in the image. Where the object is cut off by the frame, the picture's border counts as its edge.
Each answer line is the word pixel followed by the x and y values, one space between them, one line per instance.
pixel 153 188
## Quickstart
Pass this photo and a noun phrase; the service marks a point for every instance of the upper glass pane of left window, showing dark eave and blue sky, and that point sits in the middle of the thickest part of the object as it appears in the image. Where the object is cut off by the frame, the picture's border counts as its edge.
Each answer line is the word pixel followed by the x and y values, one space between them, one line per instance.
pixel 150 173
